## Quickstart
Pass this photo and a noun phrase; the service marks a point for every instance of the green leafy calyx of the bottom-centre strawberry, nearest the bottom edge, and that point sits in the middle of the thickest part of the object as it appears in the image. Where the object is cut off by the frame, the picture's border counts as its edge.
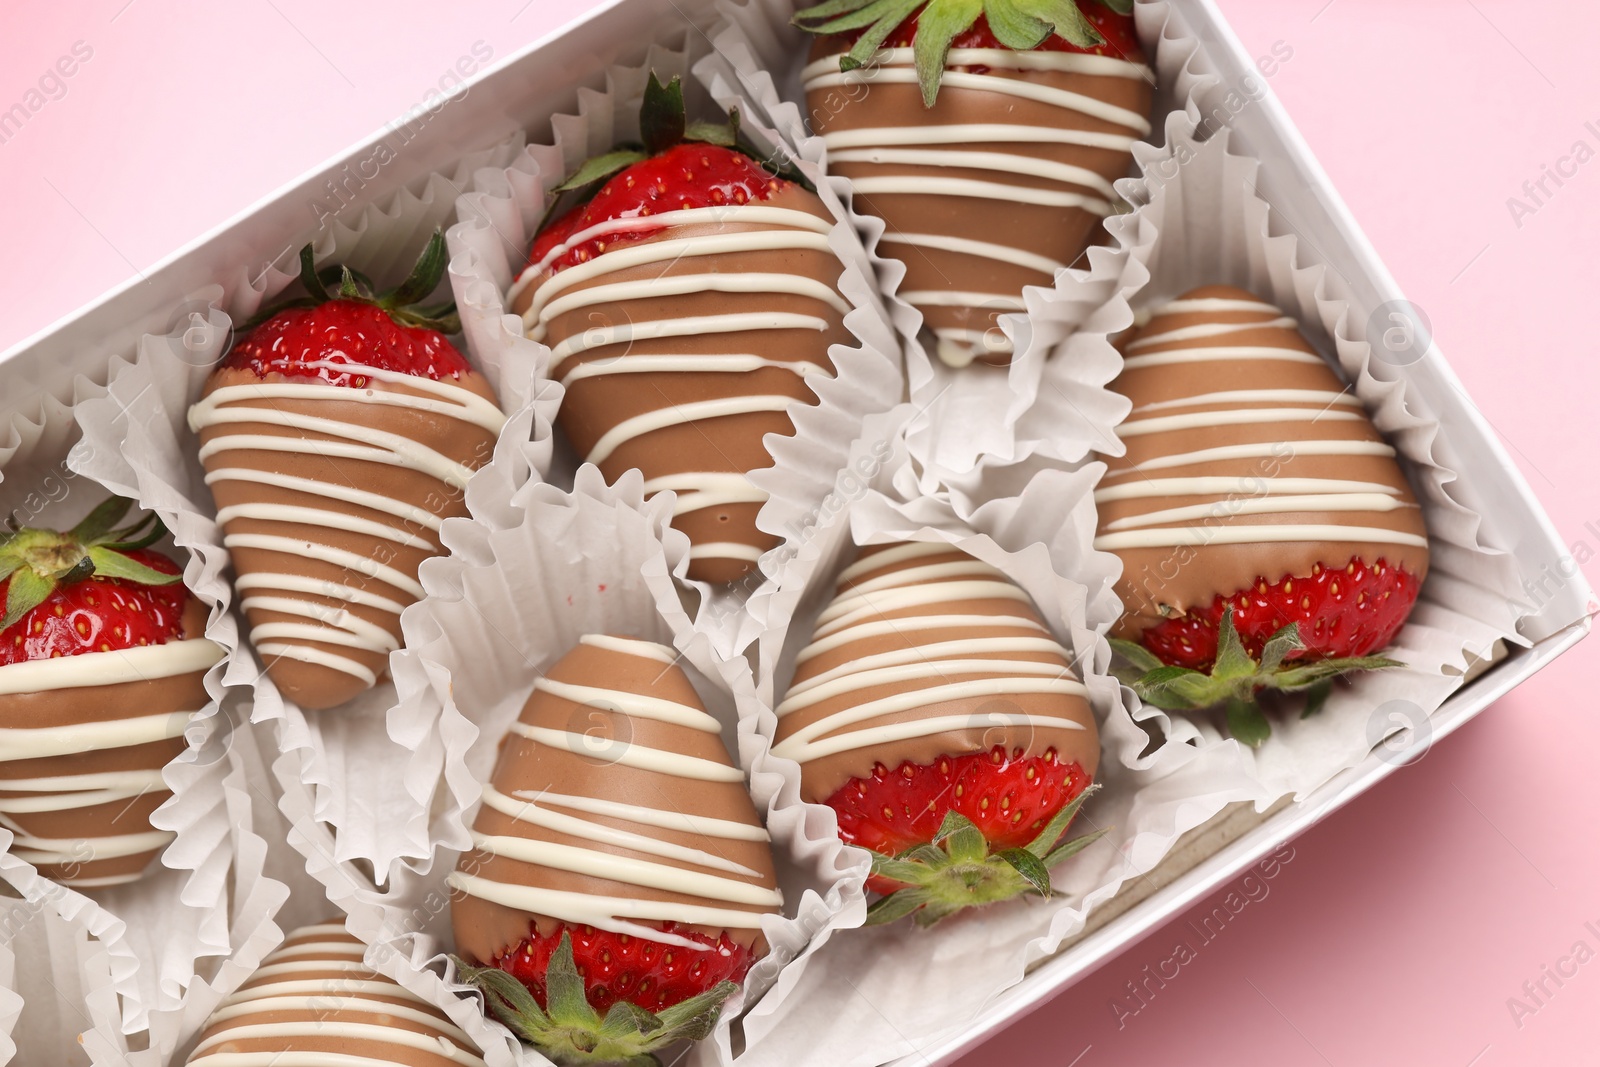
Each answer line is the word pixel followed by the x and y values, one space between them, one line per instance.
pixel 572 1034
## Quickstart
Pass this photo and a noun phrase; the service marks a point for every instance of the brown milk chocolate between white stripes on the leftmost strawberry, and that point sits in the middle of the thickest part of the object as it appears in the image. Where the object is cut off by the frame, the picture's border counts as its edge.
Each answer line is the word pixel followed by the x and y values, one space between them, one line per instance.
pixel 84 825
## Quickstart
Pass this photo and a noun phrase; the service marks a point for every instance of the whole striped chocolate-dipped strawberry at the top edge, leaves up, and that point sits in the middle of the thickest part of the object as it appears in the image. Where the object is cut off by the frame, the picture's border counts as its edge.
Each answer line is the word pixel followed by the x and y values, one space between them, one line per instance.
pixel 986 135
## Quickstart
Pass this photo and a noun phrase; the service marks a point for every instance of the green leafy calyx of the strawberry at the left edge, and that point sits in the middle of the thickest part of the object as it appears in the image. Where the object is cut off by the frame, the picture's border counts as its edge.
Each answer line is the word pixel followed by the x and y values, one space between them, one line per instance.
pixel 38 562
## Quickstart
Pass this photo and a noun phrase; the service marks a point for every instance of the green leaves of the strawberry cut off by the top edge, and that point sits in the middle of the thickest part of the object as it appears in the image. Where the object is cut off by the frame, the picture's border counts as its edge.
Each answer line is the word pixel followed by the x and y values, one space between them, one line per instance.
pixel 1018 25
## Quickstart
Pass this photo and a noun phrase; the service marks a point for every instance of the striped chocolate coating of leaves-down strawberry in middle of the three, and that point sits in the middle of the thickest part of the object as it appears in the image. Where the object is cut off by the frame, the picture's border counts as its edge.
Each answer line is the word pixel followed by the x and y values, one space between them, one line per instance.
pixel 887 633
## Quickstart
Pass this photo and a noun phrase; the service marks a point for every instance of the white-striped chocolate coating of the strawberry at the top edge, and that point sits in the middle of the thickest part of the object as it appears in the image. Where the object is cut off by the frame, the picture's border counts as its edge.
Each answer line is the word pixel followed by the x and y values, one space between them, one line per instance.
pixel 999 186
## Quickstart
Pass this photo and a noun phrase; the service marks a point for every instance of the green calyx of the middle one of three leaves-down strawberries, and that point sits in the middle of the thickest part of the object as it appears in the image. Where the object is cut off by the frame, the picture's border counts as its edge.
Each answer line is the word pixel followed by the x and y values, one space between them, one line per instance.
pixel 956 869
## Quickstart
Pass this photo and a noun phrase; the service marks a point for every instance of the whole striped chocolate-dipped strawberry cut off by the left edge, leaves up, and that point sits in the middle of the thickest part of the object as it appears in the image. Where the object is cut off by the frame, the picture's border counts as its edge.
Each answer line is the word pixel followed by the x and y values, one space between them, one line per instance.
pixel 102 666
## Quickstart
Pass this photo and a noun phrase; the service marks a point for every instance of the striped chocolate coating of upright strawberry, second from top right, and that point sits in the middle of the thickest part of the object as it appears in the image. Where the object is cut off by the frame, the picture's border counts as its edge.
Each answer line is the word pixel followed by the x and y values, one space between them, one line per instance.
pixel 681 351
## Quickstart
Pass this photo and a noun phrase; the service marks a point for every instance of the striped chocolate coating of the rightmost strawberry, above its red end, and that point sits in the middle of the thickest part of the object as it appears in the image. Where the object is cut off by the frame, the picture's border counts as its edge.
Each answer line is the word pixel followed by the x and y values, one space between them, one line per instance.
pixel 1247 460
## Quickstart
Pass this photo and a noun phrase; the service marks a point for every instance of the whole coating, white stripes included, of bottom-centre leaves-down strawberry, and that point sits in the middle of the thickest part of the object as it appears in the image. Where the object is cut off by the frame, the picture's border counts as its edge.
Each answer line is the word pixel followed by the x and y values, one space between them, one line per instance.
pixel 614 805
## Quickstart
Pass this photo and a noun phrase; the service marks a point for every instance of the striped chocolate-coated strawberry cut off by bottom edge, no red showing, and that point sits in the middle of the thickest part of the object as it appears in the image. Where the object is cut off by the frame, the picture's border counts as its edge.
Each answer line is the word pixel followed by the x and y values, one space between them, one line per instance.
pixel 313 996
